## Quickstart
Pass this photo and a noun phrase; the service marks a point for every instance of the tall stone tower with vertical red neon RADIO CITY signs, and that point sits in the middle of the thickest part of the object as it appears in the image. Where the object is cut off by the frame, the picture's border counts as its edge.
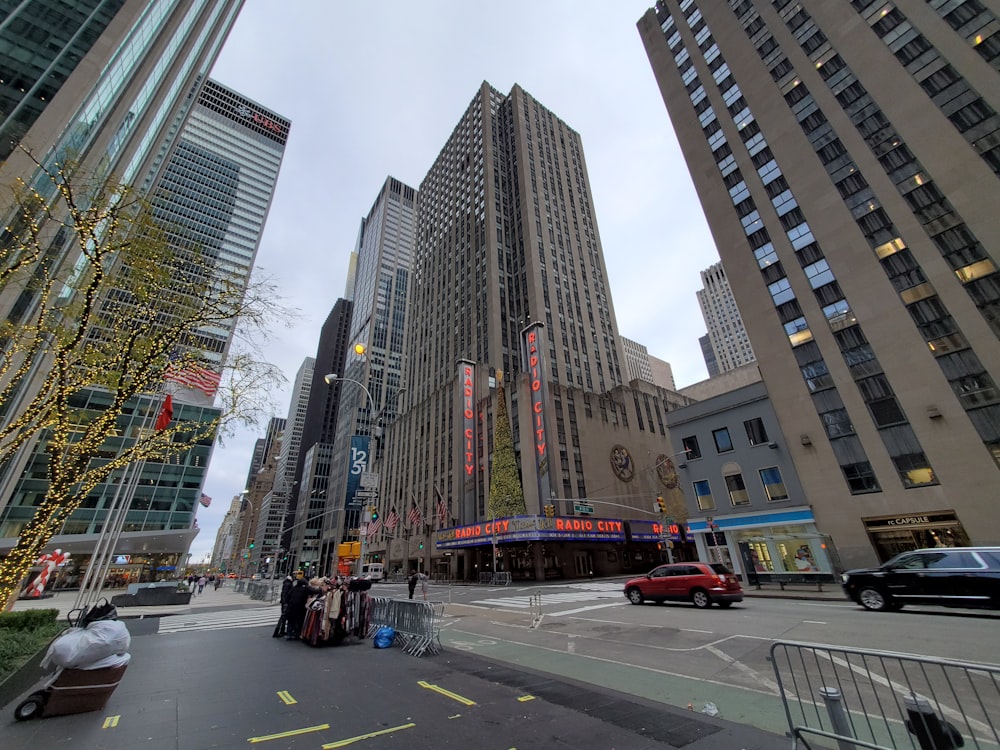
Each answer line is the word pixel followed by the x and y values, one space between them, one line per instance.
pixel 509 289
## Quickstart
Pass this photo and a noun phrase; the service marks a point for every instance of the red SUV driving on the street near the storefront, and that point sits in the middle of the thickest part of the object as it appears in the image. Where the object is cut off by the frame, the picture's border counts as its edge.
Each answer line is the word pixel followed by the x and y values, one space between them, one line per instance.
pixel 698 583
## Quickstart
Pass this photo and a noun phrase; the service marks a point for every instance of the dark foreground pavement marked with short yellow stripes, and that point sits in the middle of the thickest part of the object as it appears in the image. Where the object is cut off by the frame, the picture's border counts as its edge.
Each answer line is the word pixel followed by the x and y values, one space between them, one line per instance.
pixel 230 688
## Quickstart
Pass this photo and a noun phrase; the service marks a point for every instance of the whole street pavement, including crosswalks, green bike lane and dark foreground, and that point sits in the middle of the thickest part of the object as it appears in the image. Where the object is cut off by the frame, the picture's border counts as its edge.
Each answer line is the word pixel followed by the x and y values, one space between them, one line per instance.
pixel 569 665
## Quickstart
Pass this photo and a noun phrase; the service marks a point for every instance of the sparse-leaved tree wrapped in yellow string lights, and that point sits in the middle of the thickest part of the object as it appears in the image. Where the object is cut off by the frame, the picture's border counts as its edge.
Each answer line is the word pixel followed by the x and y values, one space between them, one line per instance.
pixel 108 298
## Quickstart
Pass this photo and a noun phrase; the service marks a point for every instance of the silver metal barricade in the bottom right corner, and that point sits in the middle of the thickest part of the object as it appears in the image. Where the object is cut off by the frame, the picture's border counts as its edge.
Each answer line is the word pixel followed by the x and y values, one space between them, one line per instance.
pixel 850 698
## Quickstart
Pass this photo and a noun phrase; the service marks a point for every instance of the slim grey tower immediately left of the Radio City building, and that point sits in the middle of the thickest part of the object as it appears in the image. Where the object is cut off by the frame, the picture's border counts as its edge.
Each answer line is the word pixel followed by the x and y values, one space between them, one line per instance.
pixel 381 293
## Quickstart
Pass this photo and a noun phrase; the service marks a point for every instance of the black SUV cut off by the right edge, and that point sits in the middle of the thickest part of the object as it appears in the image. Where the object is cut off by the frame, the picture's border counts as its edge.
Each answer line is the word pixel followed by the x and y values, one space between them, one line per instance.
pixel 949 576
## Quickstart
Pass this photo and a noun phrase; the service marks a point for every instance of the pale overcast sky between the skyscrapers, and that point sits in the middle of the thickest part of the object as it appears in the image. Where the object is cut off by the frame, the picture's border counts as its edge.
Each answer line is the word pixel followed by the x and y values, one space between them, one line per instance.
pixel 375 89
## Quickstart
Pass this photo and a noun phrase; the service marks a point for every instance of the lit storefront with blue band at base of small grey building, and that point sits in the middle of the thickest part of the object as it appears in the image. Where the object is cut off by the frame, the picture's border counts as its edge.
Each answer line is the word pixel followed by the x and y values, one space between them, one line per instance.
pixel 755 545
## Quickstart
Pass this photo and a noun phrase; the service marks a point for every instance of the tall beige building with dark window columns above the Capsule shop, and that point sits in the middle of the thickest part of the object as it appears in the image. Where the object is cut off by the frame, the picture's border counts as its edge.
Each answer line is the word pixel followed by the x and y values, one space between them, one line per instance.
pixel 847 159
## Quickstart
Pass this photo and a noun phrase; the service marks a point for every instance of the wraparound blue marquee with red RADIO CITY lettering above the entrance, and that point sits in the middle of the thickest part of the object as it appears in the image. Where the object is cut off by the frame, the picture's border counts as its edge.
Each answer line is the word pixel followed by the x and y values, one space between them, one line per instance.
pixel 532 528
